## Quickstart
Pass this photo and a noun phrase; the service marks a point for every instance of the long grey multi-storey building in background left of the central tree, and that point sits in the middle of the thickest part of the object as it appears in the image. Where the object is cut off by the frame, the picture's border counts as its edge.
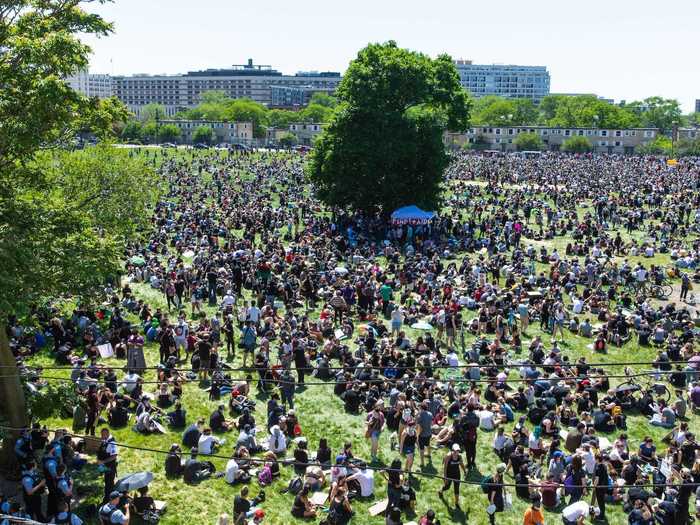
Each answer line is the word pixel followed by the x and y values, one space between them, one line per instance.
pixel 241 81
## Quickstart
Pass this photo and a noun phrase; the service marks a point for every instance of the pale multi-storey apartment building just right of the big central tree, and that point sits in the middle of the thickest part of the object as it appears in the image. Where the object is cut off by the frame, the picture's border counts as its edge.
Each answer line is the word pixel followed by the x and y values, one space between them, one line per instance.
pixel 504 81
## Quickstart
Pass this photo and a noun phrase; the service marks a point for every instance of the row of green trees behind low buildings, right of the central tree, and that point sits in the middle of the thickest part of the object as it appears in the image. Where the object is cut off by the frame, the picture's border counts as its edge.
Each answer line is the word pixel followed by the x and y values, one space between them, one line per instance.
pixel 583 111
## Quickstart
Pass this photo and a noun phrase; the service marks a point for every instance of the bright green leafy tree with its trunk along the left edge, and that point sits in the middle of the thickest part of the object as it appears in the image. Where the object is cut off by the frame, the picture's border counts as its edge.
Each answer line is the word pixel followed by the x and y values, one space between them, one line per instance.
pixel 50 241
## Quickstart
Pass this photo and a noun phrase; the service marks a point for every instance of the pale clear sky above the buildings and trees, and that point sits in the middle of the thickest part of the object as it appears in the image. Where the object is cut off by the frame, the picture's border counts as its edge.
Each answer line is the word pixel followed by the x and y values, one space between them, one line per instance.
pixel 620 49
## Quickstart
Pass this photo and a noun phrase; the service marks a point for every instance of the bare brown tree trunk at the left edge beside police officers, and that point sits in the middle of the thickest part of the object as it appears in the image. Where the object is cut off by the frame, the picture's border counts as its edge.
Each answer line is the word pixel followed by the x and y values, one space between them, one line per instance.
pixel 13 406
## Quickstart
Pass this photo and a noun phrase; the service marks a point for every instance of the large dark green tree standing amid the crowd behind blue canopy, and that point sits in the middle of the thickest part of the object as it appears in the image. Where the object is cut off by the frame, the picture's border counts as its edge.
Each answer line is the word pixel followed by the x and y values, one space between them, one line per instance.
pixel 383 146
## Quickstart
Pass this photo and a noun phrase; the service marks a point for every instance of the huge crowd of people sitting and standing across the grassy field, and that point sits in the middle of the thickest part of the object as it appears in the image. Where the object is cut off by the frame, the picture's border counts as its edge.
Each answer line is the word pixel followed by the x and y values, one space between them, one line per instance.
pixel 439 335
